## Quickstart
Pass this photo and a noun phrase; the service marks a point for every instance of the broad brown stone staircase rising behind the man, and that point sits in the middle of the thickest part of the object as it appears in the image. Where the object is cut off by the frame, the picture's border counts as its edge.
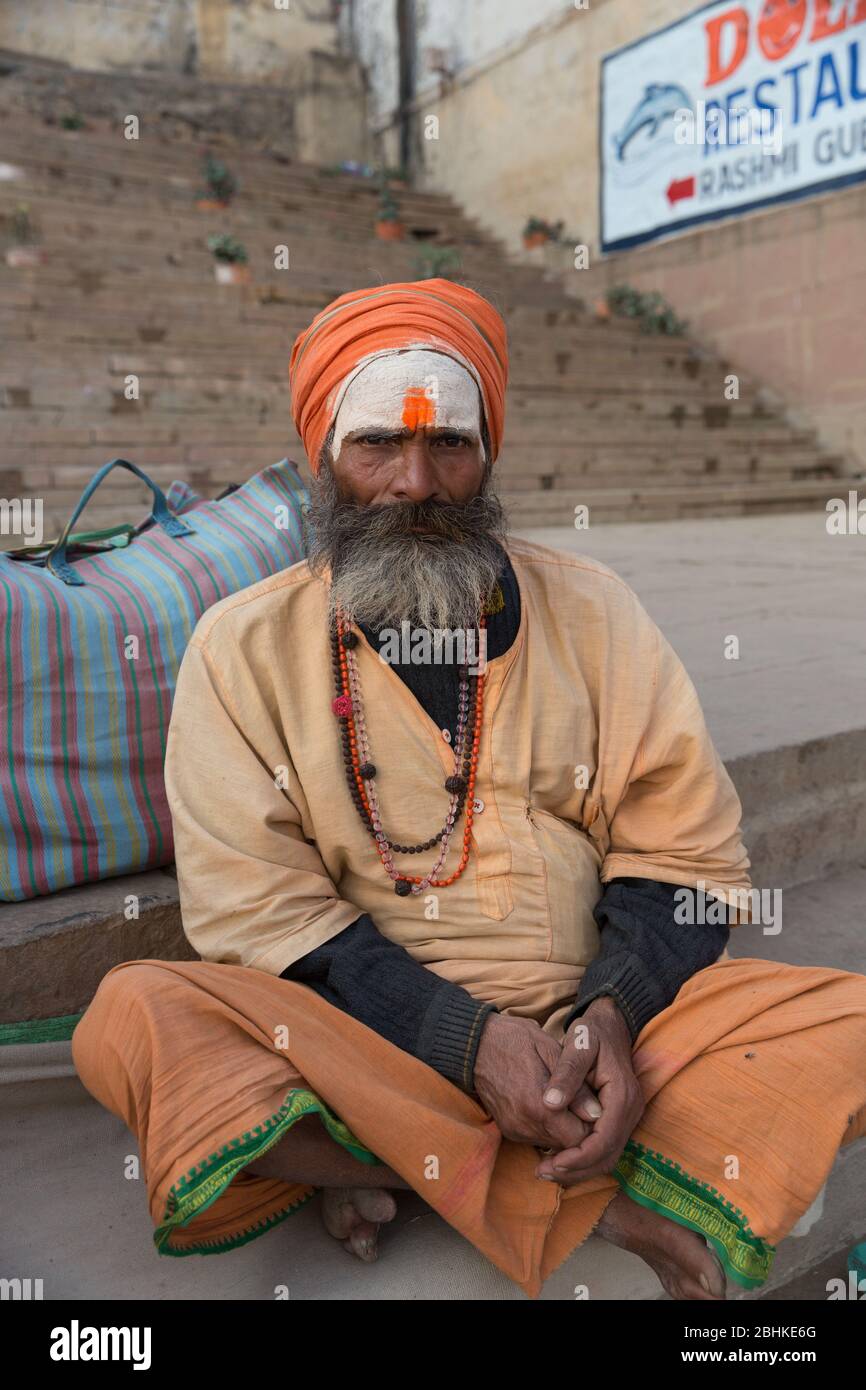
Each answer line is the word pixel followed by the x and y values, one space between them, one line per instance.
pixel 598 414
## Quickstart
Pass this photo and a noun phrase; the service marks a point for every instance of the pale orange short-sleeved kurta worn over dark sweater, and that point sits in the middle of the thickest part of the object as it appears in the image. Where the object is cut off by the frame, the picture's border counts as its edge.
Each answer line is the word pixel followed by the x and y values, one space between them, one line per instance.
pixel 594 762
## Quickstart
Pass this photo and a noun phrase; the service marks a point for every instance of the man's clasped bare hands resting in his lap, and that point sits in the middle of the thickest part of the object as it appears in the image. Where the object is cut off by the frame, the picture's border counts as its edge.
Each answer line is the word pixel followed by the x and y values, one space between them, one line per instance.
pixel 580 1099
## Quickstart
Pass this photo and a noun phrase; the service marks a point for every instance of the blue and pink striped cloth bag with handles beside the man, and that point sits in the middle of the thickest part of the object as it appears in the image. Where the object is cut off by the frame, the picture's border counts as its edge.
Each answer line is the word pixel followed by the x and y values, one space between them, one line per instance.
pixel 91 655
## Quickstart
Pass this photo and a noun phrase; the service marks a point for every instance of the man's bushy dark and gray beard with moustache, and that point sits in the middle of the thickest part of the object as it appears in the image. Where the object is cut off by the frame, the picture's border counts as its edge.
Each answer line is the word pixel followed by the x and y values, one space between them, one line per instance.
pixel 384 575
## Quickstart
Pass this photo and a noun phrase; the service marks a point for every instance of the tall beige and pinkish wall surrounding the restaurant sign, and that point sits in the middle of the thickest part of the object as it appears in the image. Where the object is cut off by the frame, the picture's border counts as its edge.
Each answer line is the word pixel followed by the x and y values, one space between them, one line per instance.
pixel 781 293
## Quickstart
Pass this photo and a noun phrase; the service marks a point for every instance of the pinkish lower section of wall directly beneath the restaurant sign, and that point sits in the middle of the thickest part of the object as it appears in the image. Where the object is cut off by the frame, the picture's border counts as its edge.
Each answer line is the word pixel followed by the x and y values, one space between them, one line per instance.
pixel 782 295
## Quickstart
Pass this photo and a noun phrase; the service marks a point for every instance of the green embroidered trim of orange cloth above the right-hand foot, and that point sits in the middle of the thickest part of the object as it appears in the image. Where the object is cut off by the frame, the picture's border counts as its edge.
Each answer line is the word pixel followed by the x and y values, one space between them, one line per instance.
pixel 662 1186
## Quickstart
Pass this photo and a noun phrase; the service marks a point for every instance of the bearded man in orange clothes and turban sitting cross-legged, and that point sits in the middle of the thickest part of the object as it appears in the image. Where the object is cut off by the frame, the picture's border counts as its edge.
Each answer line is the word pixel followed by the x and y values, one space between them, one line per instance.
pixel 455 900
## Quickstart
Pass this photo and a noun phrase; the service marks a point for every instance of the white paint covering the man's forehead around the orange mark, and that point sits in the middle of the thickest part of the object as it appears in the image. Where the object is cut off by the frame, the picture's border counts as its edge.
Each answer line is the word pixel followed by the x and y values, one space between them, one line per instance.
pixel 373 395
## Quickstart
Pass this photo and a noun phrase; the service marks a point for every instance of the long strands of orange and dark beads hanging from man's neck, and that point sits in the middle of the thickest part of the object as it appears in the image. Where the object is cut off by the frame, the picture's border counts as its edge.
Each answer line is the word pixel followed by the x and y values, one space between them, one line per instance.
pixel 361 771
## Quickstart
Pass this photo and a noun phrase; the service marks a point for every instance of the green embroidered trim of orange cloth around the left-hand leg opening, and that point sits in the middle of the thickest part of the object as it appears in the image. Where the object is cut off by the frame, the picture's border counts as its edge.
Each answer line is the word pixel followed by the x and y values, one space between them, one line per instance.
pixel 199 1188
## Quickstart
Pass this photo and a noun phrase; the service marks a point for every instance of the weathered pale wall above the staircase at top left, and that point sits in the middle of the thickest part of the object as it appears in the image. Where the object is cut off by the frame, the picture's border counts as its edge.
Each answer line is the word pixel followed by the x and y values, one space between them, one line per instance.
pixel 240 41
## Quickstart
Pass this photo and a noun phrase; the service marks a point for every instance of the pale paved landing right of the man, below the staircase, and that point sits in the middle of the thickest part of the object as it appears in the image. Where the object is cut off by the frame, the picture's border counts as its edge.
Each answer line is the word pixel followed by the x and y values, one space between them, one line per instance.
pixel 790 593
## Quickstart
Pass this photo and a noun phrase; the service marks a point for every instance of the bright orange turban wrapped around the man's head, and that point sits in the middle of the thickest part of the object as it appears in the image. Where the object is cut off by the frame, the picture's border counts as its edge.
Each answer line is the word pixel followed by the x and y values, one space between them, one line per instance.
pixel 437 313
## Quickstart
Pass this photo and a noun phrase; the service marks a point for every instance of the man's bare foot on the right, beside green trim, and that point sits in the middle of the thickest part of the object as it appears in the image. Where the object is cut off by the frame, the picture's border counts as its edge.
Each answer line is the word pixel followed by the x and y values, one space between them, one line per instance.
pixel 687 1268
